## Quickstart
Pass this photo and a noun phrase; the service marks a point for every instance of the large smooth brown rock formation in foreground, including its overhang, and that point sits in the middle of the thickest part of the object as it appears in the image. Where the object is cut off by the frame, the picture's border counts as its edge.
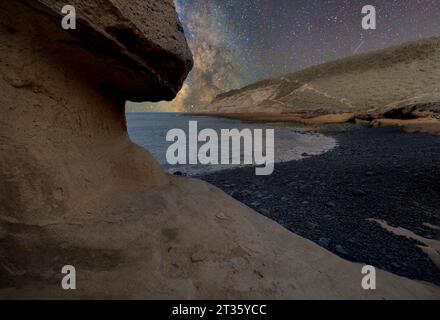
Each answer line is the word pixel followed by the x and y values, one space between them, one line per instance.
pixel 76 191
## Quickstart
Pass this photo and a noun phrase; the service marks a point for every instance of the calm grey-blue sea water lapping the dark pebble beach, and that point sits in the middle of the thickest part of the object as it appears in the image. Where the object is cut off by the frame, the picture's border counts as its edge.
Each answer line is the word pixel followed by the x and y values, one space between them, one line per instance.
pixel 292 142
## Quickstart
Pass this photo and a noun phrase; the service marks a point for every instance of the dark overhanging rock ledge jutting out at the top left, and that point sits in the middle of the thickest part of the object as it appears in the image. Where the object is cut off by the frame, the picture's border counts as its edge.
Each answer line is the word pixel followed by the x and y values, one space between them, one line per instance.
pixel 140 44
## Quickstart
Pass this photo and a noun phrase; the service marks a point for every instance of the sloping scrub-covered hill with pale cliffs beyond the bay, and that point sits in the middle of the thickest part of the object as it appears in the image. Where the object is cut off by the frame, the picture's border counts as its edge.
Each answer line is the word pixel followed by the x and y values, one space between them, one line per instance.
pixel 397 82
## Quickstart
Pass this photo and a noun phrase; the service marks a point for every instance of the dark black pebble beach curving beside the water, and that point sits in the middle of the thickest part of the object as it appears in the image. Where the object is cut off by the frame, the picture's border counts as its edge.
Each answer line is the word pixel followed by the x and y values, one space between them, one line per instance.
pixel 331 199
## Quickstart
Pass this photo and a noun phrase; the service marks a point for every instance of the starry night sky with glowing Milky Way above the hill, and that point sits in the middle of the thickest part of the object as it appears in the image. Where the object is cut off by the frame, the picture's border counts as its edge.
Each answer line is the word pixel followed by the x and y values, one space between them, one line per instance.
pixel 237 42
